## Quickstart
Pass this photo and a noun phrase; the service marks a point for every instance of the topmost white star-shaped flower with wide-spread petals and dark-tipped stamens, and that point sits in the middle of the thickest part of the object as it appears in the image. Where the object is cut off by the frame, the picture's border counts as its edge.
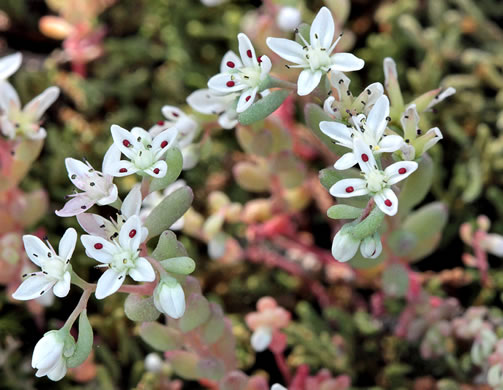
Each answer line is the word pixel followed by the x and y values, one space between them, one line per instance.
pixel 315 57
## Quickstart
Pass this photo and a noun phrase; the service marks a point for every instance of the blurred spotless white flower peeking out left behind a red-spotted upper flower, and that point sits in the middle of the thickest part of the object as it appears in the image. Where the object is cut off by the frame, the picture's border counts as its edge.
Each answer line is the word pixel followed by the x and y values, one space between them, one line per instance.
pixel 208 102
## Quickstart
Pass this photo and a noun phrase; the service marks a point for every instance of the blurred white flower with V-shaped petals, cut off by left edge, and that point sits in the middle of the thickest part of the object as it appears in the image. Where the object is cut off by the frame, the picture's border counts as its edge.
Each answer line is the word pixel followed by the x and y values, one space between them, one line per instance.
pixel 15 121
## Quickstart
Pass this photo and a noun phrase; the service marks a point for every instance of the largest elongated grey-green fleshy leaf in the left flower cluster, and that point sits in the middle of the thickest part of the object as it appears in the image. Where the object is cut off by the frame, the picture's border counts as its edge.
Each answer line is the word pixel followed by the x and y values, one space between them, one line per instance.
pixel 169 211
